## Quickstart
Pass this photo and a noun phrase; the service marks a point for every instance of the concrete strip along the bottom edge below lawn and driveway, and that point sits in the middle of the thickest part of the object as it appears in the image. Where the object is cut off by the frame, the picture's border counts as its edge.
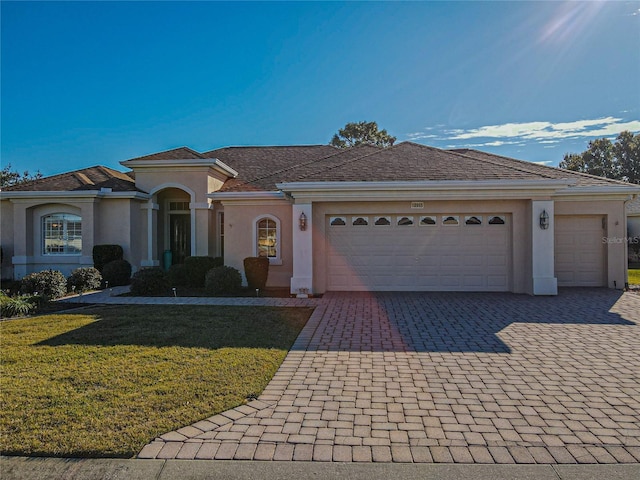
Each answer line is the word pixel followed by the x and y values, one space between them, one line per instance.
pixel 21 468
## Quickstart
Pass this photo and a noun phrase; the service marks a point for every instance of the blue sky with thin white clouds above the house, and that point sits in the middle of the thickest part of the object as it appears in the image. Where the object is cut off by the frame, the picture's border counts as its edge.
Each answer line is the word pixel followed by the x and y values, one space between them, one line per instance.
pixel 88 83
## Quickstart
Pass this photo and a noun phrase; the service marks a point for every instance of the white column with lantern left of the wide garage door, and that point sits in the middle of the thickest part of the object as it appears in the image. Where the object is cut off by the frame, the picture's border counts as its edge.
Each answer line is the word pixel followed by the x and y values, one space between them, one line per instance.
pixel 302 280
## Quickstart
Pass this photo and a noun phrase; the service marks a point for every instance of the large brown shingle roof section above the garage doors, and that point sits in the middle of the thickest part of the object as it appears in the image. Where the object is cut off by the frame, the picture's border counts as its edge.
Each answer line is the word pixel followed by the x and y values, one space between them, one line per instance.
pixel 405 161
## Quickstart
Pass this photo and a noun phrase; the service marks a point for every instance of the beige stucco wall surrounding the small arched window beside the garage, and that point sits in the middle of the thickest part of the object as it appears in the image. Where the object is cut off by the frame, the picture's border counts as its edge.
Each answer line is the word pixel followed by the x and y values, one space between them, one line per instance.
pixel 240 233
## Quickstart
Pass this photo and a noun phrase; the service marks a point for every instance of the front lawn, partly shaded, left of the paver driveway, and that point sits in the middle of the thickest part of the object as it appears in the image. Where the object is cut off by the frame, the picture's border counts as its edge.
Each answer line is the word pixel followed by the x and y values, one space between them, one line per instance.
pixel 105 381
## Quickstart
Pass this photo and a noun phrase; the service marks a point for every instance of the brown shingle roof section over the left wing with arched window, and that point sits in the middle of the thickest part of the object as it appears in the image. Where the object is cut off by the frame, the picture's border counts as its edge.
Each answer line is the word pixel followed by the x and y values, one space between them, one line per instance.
pixel 92 178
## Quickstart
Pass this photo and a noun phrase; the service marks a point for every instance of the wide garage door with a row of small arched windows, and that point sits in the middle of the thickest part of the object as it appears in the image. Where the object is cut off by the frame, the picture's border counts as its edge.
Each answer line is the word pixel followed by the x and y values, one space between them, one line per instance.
pixel 406 252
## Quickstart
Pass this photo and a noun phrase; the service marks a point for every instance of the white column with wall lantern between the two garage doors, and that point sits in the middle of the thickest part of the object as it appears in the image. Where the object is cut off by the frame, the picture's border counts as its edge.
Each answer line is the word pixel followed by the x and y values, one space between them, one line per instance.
pixel 542 249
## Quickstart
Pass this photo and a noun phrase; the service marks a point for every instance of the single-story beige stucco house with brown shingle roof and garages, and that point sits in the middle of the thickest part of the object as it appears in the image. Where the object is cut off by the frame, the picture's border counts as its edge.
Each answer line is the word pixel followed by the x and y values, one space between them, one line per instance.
pixel 409 217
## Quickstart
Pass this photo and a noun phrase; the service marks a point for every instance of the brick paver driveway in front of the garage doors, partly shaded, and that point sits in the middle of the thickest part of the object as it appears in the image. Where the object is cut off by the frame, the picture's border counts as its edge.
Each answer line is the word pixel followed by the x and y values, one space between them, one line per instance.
pixel 444 377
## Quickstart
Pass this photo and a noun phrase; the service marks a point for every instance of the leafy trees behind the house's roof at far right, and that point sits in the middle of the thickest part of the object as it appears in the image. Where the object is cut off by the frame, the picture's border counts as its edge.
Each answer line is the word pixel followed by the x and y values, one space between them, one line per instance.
pixel 619 160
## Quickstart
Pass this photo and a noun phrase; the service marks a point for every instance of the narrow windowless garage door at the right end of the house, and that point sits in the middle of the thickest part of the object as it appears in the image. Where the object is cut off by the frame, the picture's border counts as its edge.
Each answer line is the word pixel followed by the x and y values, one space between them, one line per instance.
pixel 579 251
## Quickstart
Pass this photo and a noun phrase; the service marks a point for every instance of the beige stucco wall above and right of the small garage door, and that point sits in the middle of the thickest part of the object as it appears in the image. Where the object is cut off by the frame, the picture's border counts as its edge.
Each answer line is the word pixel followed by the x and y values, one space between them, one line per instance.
pixel 613 236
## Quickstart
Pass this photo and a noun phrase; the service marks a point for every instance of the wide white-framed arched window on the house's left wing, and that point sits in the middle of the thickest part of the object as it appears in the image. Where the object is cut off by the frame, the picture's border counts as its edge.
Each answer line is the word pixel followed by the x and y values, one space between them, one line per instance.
pixel 61 234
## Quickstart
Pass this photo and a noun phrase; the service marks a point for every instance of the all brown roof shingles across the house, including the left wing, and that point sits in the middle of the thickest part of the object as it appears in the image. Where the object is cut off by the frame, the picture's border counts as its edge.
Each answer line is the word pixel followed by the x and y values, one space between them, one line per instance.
pixel 261 168
